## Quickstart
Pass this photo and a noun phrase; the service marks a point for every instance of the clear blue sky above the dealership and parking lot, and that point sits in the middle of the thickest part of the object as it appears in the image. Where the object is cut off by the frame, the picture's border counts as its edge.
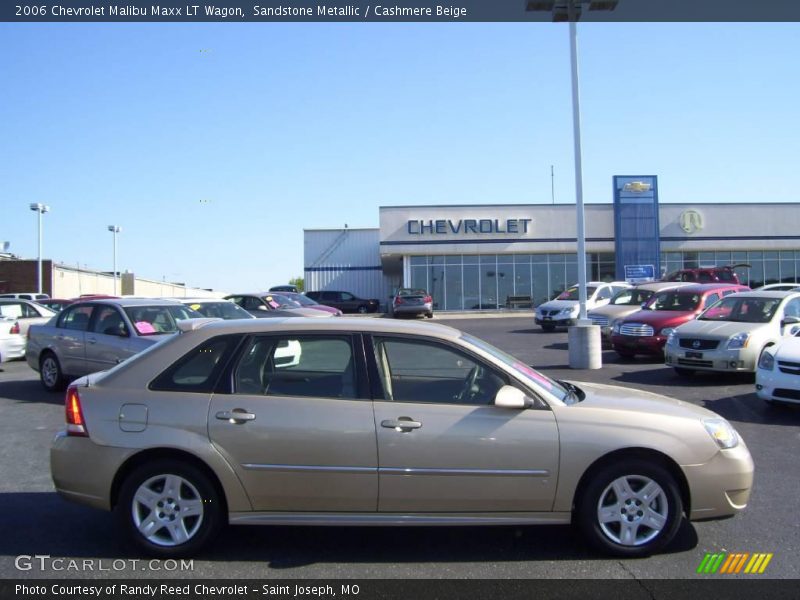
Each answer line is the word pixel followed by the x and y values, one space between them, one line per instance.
pixel 214 145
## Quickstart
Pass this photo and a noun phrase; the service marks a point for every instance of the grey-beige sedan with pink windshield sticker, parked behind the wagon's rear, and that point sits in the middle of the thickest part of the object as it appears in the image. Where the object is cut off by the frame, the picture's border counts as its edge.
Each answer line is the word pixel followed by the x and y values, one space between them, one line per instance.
pixel 95 335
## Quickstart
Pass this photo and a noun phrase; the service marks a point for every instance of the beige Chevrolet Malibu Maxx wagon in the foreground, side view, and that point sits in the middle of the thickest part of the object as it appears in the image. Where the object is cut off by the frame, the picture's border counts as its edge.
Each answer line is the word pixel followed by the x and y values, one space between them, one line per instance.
pixel 382 423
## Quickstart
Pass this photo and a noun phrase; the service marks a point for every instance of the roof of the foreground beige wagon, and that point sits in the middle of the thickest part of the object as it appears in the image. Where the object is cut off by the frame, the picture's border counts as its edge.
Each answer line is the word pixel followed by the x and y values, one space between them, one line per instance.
pixel 342 324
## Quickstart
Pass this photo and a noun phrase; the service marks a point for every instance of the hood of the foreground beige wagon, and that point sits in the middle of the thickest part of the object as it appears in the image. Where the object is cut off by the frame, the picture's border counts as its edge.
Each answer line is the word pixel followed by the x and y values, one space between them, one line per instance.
pixel 614 397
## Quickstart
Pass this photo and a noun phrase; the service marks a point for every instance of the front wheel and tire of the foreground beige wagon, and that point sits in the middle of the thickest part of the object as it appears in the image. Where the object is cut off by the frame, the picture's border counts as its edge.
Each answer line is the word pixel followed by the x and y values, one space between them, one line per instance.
pixel 646 534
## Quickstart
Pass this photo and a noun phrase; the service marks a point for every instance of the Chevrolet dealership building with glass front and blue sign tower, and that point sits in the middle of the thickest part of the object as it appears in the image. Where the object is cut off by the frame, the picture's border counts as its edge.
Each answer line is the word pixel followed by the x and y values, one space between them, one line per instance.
pixel 485 257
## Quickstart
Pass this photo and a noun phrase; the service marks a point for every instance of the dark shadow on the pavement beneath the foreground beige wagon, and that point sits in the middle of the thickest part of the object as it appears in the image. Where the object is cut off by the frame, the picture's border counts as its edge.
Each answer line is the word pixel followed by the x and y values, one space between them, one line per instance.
pixel 43 523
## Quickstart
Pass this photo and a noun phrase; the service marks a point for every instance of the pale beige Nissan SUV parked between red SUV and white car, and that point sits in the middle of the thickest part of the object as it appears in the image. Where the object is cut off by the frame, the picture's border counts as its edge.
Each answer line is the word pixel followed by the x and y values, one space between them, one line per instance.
pixel 731 335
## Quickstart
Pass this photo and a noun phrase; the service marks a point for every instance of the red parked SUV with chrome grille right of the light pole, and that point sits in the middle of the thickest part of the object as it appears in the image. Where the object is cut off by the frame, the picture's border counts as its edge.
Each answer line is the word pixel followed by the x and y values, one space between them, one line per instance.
pixel 646 331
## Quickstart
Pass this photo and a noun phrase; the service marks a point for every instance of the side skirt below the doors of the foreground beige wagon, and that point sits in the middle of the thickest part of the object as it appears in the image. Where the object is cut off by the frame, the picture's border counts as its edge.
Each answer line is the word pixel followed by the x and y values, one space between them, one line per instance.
pixel 397 519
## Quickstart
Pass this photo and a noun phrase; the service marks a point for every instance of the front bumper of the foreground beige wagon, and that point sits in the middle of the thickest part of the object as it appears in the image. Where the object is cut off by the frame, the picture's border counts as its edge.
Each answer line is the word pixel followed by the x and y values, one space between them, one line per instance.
pixel 721 487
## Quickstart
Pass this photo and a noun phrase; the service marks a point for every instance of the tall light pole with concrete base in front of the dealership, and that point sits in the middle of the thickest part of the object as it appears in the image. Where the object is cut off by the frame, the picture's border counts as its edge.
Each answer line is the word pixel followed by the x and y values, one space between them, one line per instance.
pixel 584 347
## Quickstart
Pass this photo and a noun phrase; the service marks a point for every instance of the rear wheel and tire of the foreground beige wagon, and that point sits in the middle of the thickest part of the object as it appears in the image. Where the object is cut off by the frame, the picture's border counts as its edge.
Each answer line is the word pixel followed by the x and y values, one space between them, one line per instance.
pixel 194 488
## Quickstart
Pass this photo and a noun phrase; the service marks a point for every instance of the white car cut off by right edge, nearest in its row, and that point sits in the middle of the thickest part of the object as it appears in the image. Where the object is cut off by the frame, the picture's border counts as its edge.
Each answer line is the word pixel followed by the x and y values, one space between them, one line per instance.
pixel 778 373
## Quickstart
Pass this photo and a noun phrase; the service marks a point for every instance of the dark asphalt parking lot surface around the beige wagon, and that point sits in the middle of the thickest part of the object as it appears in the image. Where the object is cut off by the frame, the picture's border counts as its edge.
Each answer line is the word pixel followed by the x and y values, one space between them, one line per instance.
pixel 35 521
